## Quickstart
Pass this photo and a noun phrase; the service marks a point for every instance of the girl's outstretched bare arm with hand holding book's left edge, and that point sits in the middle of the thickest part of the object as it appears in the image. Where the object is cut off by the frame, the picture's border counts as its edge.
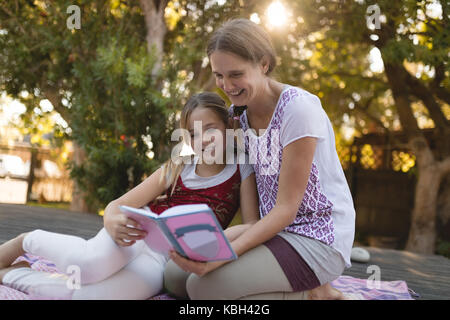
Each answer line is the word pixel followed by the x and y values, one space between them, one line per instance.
pixel 117 223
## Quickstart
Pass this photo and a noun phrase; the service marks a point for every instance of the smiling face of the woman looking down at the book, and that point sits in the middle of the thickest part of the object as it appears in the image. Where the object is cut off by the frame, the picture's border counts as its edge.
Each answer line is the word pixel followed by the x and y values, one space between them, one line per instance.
pixel 240 79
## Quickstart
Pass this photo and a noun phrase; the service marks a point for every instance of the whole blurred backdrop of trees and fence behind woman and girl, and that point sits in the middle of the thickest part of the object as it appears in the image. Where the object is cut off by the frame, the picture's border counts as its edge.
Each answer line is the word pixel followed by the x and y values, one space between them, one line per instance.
pixel 90 92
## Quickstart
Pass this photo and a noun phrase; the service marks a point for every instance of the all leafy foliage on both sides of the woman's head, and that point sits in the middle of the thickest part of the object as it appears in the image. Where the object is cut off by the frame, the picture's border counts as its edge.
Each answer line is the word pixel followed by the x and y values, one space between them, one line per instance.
pixel 101 74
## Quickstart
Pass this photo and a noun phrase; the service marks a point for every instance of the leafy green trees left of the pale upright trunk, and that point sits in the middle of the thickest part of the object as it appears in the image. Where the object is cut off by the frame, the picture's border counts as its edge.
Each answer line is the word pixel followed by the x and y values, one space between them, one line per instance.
pixel 97 78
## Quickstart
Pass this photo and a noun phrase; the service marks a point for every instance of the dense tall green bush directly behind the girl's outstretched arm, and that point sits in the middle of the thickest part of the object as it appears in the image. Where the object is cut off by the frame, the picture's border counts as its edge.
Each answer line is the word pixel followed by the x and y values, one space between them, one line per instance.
pixel 116 107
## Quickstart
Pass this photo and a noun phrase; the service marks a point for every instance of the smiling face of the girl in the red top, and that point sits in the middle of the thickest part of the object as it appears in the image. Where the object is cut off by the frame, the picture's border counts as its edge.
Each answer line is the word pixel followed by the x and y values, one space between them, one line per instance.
pixel 207 132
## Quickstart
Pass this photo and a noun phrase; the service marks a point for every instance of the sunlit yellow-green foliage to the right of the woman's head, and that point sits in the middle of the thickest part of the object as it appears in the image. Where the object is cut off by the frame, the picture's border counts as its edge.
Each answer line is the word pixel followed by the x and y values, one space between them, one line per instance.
pixel 328 49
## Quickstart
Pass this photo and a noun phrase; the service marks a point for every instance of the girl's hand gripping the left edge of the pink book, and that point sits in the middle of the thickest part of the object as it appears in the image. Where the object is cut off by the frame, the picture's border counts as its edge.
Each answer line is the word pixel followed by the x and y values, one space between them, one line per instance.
pixel 123 230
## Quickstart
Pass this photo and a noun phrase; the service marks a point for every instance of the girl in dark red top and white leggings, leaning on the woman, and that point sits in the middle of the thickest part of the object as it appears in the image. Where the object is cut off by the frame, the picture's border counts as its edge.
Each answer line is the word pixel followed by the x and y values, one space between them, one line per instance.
pixel 116 263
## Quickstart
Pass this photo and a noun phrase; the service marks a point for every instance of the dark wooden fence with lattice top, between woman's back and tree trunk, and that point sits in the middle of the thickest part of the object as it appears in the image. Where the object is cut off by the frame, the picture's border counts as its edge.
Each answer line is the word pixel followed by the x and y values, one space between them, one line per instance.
pixel 382 177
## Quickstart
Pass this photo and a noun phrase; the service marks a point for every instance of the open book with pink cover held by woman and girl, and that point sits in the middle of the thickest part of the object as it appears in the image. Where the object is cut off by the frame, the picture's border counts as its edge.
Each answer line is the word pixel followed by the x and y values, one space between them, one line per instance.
pixel 192 230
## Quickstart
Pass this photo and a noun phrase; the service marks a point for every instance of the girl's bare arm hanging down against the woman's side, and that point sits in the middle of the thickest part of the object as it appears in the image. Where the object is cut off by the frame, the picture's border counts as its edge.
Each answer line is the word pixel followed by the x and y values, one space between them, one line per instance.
pixel 249 208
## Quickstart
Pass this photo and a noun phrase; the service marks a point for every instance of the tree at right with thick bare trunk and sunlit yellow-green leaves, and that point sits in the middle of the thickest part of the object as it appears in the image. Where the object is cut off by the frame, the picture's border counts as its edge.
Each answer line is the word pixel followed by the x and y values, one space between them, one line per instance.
pixel 339 37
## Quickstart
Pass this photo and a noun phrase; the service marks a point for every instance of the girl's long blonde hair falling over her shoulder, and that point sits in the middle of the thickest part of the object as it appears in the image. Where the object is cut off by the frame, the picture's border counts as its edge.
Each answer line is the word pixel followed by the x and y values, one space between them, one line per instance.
pixel 172 168
